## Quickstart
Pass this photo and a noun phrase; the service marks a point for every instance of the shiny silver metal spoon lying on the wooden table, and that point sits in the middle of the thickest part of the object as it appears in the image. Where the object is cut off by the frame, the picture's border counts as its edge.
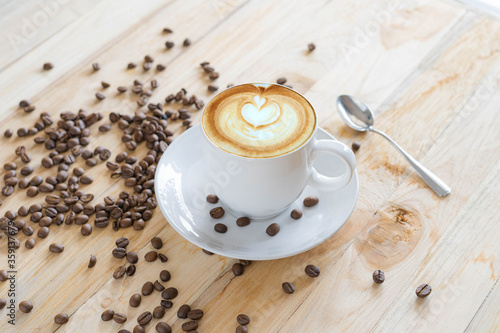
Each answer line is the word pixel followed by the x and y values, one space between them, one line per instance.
pixel 350 107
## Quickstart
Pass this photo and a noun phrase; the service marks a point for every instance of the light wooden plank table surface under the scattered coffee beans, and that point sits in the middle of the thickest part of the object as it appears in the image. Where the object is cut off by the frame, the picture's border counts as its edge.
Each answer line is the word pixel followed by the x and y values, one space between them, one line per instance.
pixel 430 71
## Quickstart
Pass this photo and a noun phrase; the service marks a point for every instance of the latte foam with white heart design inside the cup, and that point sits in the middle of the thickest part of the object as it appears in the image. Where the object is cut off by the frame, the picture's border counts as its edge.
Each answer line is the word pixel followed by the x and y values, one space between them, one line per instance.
pixel 259 121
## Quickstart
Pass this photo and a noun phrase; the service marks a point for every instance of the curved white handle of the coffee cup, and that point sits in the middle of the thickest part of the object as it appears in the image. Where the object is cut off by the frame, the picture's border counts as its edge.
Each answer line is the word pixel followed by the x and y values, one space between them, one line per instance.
pixel 326 183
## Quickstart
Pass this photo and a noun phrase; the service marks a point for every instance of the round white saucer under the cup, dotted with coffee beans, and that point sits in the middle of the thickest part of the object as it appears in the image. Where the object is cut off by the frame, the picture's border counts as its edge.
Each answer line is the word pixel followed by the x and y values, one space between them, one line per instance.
pixel 180 178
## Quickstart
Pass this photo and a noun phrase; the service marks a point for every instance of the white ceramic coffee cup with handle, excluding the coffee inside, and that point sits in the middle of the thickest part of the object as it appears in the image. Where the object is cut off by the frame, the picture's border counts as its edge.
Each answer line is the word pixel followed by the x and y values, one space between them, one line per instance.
pixel 261 188
